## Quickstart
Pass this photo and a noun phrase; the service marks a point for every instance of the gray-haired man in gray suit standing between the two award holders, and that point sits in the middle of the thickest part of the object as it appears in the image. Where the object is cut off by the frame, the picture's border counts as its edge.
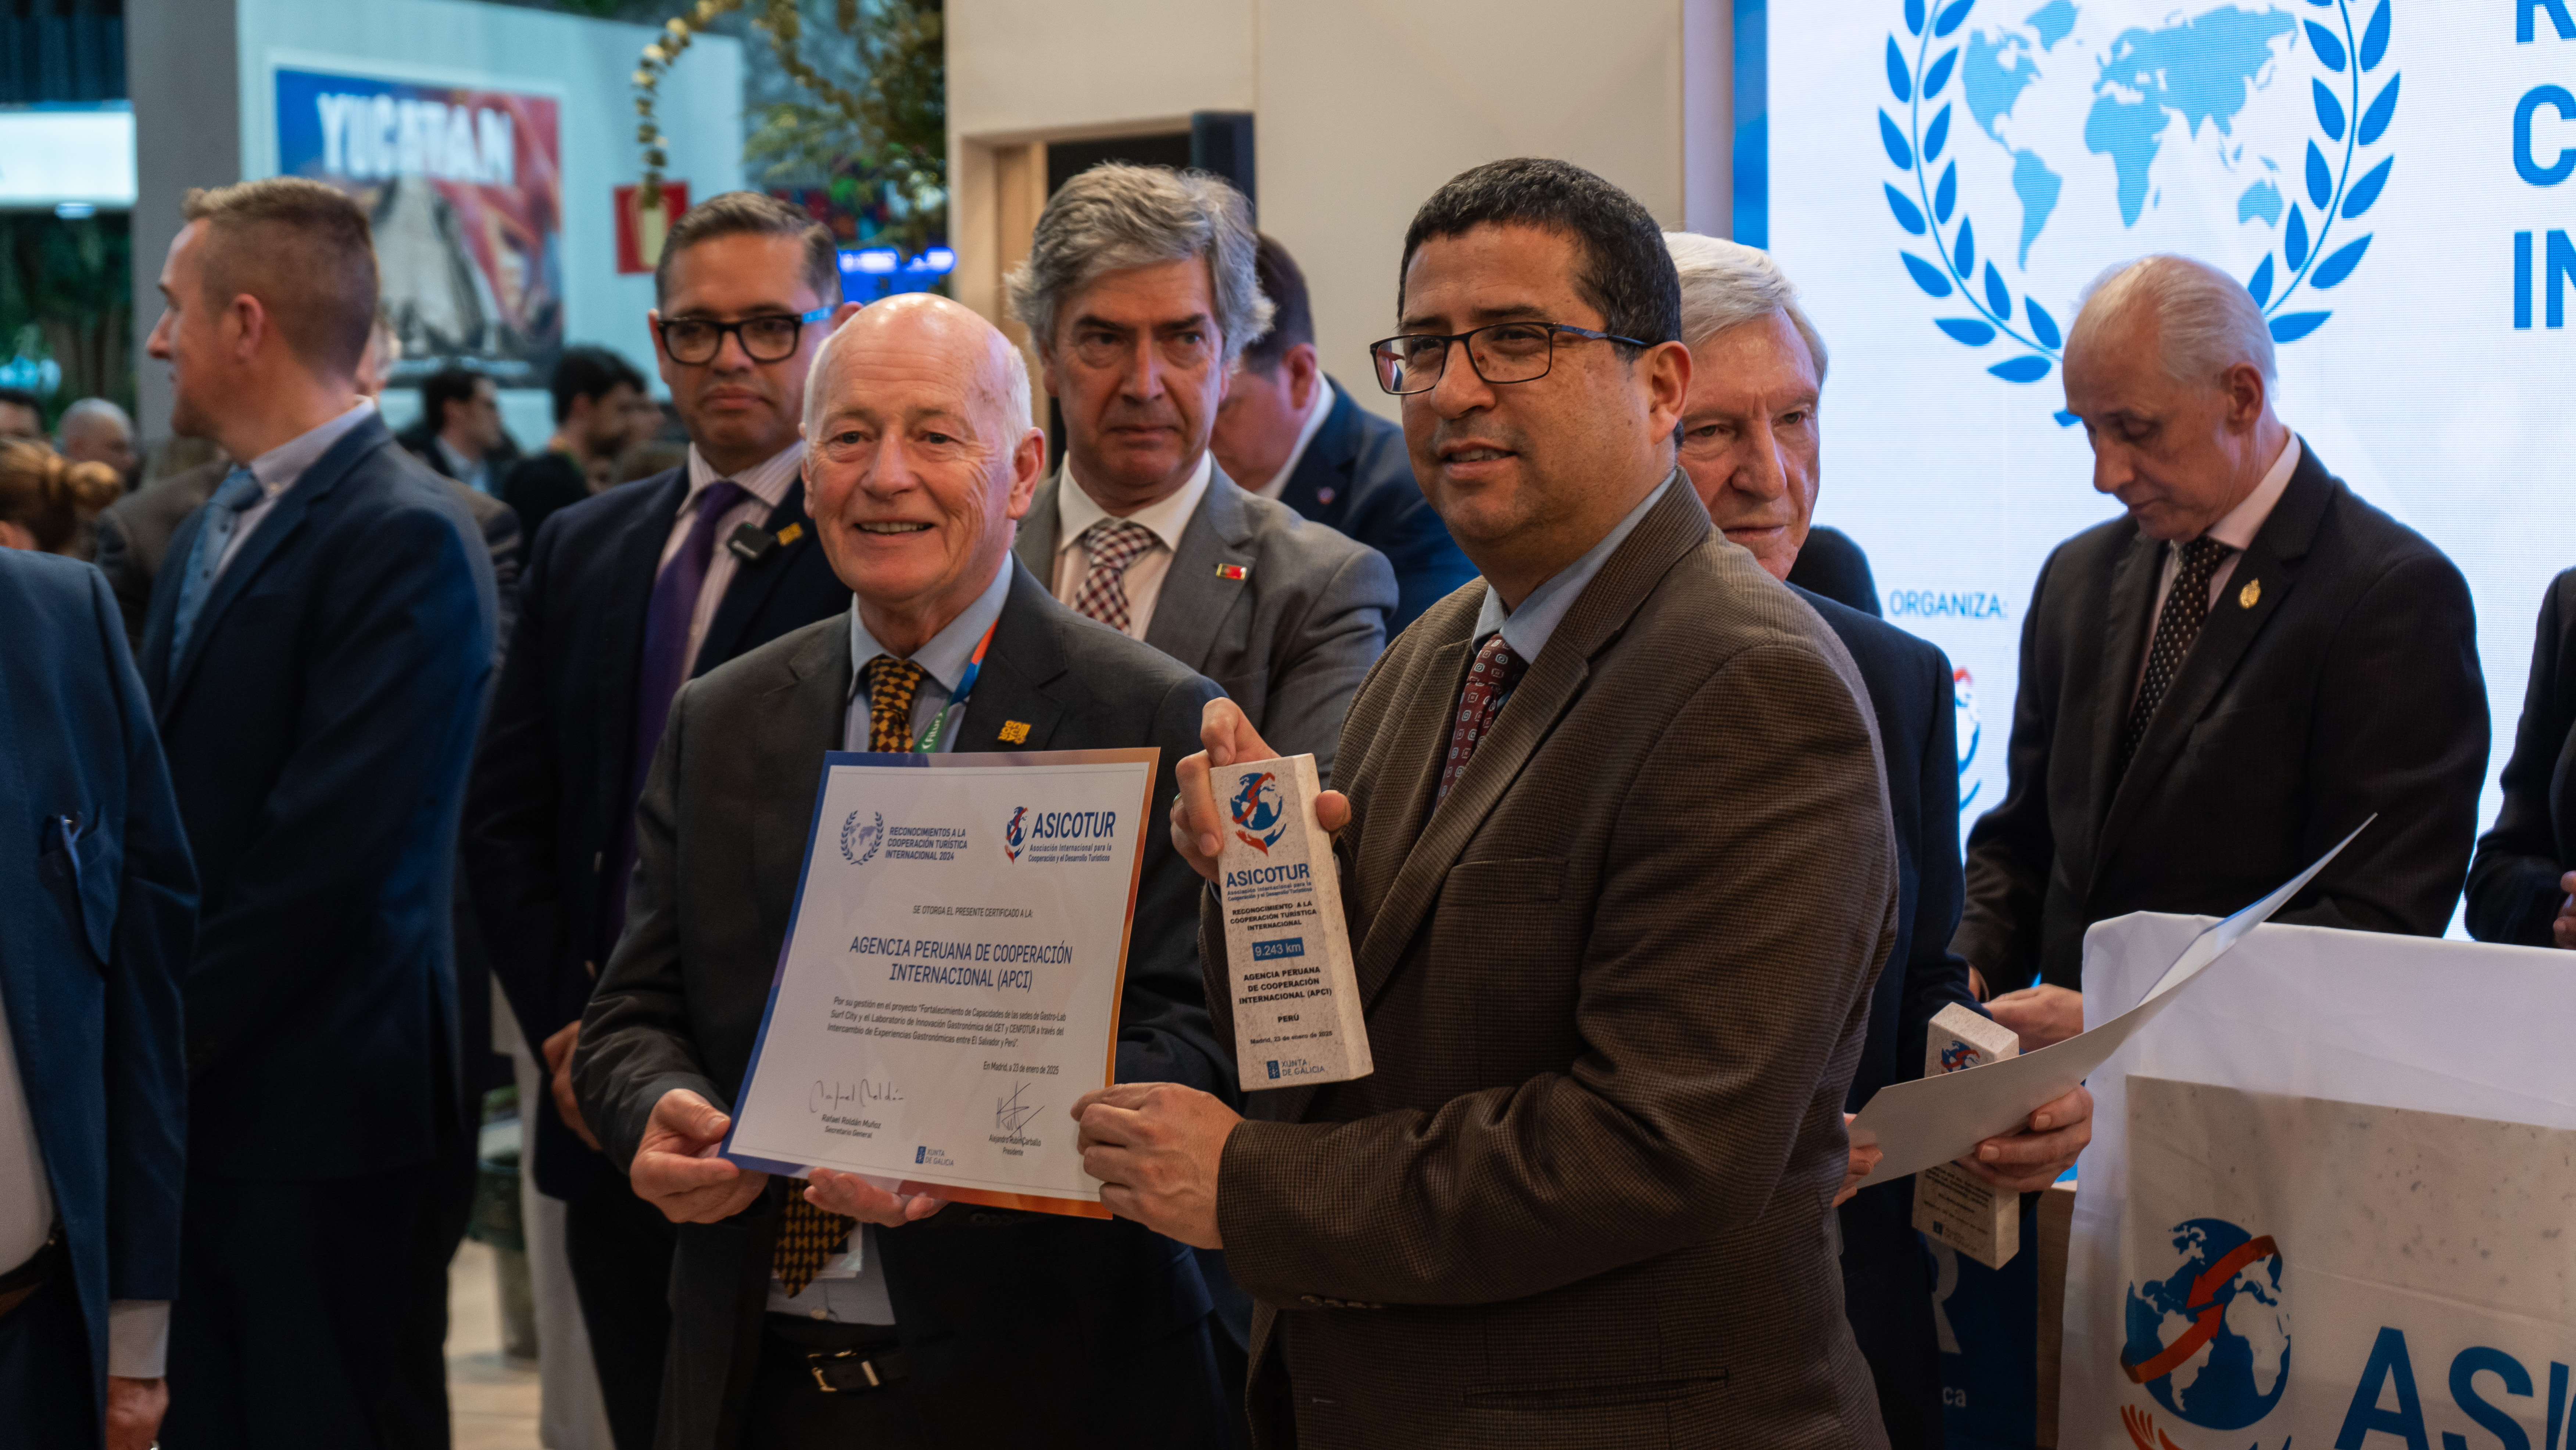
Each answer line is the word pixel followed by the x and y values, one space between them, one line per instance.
pixel 1140 295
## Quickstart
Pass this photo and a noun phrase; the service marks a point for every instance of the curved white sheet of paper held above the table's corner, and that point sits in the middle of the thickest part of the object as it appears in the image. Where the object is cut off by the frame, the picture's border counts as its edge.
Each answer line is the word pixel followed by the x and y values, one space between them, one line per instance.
pixel 1936 1119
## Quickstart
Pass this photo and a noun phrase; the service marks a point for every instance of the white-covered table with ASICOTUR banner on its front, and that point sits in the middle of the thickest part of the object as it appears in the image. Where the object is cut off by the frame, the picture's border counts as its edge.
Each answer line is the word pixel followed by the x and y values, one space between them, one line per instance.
pixel 2330 1199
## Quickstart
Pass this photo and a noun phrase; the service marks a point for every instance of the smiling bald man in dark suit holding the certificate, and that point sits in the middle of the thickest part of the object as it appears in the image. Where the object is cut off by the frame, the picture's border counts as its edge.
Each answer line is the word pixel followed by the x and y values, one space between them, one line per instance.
pixel 844 1315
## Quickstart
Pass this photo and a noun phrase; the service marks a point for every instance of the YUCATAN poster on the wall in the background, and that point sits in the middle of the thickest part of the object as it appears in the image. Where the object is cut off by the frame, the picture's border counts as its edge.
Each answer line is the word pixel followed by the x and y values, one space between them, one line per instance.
pixel 468 197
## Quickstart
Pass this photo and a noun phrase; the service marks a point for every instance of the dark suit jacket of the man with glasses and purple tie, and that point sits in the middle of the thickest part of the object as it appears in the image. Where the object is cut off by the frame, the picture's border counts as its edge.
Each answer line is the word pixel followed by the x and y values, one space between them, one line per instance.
pixel 553 774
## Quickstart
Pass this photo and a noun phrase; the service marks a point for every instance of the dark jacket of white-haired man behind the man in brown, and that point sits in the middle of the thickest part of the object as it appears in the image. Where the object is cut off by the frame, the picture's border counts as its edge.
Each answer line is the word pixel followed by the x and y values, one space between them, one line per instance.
pixel 1887 1284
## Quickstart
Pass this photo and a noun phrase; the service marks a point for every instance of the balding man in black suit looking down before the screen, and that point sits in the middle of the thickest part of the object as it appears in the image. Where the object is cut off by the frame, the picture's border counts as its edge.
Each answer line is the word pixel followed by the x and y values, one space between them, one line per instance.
pixel 2224 681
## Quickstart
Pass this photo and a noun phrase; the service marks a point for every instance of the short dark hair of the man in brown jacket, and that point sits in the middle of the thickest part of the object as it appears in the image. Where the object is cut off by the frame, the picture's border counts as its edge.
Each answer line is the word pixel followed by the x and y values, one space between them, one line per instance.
pixel 1624 267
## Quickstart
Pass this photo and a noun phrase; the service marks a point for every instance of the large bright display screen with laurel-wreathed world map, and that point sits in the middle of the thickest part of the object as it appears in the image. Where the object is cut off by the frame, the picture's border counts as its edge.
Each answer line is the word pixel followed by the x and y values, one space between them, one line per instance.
pixel 2387 176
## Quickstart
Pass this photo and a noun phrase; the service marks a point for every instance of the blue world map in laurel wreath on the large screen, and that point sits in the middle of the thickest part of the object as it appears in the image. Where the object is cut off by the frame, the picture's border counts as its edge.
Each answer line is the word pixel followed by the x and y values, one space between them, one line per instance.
pixel 2031 151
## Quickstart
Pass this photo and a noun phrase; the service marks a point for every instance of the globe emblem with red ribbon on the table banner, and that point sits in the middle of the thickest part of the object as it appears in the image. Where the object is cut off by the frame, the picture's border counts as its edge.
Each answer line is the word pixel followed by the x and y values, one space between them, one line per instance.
pixel 2211 1341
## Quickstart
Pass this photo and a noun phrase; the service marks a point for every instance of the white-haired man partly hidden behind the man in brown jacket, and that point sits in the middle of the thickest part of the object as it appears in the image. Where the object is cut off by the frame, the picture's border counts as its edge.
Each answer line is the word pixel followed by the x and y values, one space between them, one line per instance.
pixel 1753 452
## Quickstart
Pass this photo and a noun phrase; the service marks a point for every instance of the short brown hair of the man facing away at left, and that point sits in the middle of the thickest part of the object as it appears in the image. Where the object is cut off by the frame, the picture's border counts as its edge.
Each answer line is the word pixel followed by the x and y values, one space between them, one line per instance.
pixel 305 251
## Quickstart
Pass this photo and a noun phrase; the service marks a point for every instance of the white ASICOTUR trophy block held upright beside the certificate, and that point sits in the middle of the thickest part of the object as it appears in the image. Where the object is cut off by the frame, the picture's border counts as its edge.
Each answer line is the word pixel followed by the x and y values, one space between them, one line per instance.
pixel 1297 998
